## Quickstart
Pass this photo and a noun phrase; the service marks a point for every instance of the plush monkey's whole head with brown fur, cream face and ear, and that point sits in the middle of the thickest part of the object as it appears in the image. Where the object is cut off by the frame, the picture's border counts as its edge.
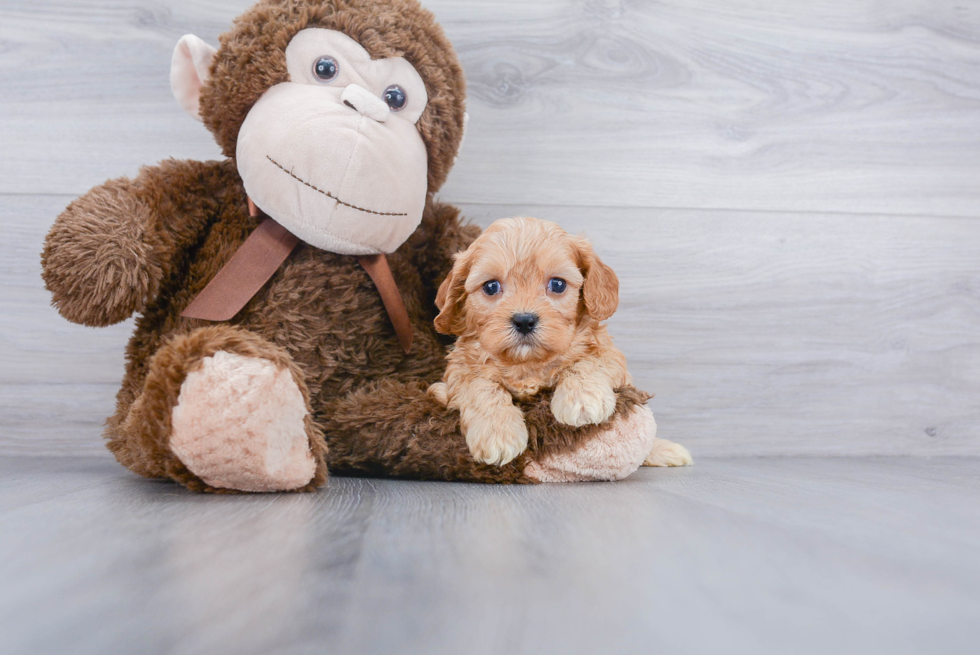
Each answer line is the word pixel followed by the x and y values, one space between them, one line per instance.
pixel 341 115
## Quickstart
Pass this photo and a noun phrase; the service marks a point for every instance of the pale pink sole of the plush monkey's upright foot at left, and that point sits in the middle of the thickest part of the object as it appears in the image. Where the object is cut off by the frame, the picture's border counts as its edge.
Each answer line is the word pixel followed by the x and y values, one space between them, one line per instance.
pixel 240 423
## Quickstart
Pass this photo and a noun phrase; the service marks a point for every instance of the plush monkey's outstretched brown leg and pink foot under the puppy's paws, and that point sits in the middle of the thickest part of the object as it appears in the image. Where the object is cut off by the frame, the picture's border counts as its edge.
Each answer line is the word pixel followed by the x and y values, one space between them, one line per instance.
pixel 396 429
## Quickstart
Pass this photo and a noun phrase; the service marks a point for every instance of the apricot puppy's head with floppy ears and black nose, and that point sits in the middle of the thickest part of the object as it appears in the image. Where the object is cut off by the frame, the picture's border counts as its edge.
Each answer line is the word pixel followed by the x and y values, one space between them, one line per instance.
pixel 524 289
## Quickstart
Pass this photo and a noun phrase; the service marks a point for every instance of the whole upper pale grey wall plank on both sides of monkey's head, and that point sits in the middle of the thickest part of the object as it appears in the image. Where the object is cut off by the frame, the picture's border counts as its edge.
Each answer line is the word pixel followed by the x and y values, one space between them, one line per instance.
pixel 818 106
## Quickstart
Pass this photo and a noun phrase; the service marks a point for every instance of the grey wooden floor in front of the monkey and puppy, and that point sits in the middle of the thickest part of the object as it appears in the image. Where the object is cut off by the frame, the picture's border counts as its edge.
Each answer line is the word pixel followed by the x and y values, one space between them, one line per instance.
pixel 766 555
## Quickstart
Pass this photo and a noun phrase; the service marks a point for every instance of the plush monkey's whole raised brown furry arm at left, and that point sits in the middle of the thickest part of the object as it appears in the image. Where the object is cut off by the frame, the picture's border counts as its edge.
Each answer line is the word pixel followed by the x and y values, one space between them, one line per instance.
pixel 108 252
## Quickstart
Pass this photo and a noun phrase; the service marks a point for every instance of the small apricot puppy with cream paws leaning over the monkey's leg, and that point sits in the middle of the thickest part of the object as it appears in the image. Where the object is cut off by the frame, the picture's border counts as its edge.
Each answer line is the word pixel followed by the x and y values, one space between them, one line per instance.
pixel 526 301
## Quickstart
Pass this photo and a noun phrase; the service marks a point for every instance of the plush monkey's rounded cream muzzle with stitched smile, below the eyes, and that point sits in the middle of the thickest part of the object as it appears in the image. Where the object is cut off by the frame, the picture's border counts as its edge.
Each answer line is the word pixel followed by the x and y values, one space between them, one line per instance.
pixel 333 174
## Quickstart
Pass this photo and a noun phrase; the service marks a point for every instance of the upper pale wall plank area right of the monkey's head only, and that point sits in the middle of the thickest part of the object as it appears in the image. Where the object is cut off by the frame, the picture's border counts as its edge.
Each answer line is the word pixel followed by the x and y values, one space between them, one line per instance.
pixel 814 106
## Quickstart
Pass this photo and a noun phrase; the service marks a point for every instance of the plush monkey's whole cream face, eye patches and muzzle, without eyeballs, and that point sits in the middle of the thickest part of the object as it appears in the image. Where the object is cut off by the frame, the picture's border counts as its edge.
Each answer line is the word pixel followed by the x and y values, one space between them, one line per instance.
pixel 330 160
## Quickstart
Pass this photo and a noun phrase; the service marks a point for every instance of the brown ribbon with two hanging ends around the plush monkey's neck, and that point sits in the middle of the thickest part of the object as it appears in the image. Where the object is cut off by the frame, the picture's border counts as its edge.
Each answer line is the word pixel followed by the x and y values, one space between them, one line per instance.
pixel 257 260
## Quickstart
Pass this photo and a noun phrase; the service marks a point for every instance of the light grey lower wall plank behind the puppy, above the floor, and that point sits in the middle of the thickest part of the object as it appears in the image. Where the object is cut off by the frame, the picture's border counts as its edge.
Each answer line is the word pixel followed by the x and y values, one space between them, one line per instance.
pixel 760 333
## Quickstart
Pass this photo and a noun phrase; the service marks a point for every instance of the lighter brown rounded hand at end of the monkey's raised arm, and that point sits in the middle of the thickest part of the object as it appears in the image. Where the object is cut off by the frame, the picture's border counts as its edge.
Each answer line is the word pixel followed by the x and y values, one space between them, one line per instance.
pixel 99 259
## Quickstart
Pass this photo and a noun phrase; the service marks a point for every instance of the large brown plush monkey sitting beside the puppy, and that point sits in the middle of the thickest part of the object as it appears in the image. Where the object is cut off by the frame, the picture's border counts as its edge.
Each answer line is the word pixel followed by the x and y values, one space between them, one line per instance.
pixel 339 120
